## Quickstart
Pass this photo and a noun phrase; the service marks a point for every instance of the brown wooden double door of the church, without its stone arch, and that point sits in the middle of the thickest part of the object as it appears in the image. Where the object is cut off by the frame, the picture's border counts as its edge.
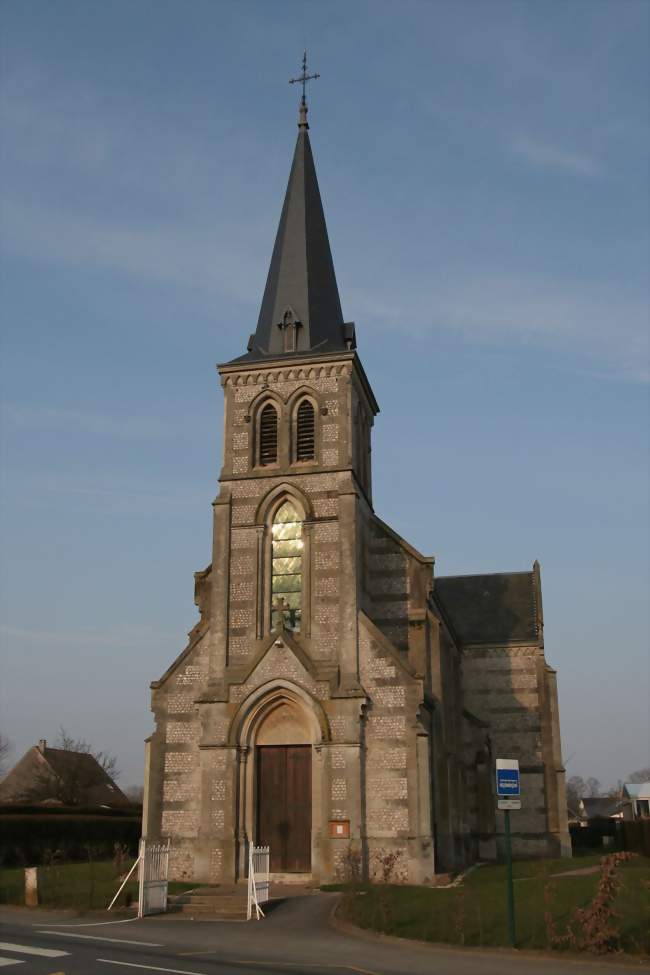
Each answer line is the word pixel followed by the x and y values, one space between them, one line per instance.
pixel 284 806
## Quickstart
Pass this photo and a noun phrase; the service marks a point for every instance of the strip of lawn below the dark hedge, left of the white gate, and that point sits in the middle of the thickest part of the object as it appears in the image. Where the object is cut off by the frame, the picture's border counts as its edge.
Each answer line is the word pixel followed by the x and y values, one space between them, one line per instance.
pixel 82 886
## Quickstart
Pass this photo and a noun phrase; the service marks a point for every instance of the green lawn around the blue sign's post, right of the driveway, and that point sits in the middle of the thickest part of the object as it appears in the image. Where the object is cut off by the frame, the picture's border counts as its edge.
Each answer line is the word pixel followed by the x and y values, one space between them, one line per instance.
pixel 475 913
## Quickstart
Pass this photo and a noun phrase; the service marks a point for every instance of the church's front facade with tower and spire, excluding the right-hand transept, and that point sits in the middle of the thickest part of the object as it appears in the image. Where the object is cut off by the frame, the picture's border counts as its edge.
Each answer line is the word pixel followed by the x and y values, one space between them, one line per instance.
pixel 300 714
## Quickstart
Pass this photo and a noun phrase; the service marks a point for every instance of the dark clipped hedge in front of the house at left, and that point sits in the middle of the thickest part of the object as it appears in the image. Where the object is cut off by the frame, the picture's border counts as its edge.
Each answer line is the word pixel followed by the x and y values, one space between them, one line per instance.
pixel 30 839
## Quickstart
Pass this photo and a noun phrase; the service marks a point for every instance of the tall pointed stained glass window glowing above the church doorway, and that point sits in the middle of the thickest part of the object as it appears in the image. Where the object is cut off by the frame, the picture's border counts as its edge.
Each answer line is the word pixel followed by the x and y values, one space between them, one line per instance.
pixel 286 568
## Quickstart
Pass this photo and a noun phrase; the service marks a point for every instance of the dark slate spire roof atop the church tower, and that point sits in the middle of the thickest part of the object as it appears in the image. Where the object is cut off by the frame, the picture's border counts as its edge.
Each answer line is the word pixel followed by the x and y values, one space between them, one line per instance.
pixel 301 309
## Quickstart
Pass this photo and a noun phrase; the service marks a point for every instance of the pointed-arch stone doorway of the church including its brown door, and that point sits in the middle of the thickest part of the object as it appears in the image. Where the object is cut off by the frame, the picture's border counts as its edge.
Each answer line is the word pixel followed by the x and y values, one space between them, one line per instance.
pixel 279 734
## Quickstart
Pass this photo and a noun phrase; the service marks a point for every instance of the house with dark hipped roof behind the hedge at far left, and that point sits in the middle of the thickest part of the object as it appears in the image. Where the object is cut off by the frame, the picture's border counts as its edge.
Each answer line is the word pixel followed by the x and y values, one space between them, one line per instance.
pixel 46 775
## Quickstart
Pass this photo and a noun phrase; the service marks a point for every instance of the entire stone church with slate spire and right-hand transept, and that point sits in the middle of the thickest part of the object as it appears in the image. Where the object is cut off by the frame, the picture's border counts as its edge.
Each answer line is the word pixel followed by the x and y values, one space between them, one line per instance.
pixel 338 701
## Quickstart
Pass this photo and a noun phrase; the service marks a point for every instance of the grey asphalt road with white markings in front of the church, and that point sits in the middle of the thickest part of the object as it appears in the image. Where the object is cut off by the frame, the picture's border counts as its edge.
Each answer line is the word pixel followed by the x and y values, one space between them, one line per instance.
pixel 295 937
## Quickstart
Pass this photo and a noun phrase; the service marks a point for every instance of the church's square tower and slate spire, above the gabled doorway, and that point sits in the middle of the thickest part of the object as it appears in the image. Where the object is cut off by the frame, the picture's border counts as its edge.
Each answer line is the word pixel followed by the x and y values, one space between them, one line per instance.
pixel 298 417
